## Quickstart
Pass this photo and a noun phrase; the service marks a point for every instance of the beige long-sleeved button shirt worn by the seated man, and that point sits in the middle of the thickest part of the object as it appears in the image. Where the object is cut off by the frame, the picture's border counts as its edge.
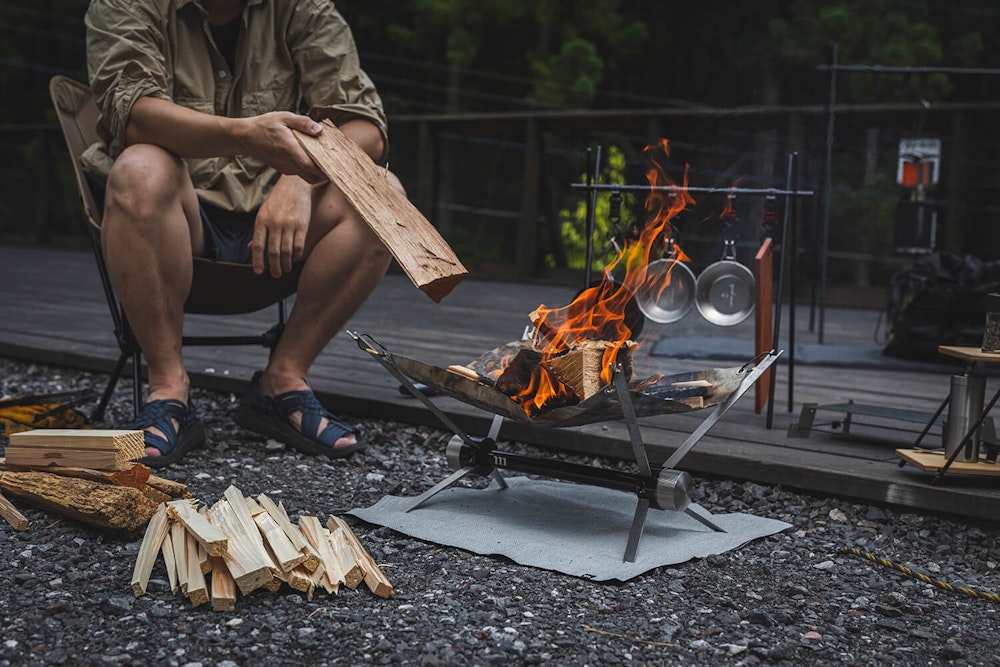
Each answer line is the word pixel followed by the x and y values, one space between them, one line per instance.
pixel 289 52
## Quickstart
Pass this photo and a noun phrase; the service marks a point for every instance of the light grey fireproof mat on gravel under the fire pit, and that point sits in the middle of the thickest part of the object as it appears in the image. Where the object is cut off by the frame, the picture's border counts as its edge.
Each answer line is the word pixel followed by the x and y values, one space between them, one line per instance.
pixel 575 529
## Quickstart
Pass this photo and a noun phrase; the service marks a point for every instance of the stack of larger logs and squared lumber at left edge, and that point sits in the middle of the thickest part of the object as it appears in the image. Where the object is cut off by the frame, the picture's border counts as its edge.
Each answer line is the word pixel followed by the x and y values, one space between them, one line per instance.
pixel 86 474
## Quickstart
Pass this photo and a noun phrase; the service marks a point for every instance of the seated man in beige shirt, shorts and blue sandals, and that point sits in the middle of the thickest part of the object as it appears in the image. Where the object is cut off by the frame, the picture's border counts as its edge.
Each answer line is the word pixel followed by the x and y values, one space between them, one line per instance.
pixel 198 101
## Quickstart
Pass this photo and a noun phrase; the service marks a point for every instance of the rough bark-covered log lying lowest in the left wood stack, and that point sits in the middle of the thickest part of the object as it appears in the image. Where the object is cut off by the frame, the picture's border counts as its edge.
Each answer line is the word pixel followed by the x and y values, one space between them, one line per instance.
pixel 100 505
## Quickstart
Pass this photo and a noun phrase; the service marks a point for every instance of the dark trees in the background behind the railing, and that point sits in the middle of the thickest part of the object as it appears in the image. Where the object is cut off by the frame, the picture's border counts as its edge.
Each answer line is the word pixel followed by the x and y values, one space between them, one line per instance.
pixel 439 59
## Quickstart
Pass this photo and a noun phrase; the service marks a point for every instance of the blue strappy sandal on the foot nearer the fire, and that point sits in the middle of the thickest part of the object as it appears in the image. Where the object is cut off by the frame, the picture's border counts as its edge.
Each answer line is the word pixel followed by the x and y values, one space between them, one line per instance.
pixel 269 415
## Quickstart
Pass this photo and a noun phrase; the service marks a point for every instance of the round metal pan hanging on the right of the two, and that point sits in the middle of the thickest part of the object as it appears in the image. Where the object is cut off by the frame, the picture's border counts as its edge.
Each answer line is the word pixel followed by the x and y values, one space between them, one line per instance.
pixel 725 290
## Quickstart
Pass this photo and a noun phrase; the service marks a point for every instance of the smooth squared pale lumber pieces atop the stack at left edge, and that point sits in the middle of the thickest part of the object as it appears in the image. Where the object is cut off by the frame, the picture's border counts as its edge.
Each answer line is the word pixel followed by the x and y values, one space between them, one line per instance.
pixel 80 448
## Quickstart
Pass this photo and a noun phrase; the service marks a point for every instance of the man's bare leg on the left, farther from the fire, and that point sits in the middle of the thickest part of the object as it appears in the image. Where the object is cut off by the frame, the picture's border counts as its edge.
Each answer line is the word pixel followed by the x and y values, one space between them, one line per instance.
pixel 151 228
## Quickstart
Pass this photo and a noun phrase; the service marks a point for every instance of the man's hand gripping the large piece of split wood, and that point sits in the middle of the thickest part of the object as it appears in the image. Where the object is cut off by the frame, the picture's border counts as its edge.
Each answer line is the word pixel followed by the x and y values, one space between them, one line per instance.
pixel 269 138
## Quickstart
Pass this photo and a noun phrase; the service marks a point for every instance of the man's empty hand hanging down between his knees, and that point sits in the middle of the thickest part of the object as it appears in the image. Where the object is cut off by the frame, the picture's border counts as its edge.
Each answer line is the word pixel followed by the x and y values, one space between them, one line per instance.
pixel 281 226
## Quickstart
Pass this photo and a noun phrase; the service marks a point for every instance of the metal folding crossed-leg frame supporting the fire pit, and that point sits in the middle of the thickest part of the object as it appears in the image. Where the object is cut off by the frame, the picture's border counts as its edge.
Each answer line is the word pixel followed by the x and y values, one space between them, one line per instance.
pixel 661 487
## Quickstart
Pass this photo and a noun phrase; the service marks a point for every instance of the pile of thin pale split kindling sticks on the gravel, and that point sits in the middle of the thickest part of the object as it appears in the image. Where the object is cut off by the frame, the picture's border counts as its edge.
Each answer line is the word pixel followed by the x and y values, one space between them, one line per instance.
pixel 242 543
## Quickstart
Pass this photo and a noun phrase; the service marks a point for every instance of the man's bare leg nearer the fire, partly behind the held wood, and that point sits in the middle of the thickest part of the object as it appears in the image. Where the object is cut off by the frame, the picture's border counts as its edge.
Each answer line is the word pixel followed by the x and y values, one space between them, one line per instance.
pixel 345 261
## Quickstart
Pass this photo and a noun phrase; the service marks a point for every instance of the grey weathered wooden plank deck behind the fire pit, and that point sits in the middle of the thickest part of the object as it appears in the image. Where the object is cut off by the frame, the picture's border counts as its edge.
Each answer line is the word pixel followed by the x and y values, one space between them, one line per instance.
pixel 56 314
